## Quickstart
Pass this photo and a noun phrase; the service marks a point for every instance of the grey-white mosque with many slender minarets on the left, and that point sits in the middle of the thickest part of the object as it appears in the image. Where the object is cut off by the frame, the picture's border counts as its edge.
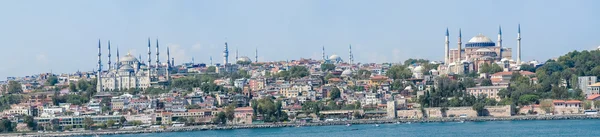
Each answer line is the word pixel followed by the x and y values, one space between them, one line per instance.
pixel 129 72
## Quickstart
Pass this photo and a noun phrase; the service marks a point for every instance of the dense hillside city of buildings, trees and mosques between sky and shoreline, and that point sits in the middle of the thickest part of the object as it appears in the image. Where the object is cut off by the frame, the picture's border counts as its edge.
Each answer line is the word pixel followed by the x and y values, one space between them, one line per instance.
pixel 481 79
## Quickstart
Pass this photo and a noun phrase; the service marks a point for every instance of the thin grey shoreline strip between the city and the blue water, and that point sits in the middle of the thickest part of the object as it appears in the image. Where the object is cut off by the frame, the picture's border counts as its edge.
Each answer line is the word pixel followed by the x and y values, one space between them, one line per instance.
pixel 280 125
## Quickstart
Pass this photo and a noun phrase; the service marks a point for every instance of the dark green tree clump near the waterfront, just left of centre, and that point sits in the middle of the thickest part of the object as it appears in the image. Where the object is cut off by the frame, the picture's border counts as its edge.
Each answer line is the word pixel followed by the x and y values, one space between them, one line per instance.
pixel 269 110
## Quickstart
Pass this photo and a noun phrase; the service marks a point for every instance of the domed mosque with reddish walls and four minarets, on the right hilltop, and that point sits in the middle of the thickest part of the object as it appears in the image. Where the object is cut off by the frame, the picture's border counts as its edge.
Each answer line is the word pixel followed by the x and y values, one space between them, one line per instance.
pixel 479 50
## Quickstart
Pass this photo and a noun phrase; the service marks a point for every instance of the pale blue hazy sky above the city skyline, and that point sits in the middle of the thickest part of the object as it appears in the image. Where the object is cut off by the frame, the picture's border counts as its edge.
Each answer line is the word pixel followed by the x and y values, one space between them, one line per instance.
pixel 61 36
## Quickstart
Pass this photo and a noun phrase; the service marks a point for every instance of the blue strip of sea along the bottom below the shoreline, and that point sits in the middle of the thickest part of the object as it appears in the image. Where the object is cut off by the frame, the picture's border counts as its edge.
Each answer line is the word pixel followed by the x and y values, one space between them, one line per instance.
pixel 571 128
